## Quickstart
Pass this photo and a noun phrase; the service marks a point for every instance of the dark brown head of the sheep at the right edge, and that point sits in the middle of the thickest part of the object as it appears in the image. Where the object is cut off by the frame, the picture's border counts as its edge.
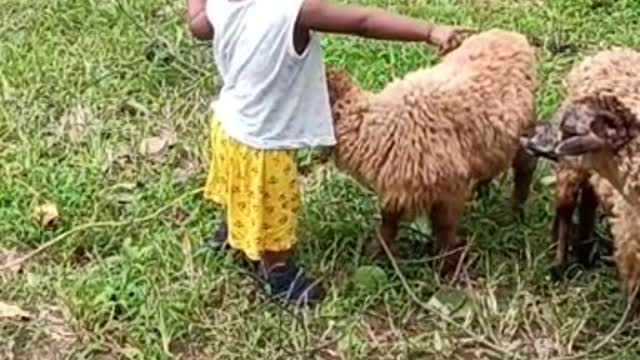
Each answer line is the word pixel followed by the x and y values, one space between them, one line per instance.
pixel 588 126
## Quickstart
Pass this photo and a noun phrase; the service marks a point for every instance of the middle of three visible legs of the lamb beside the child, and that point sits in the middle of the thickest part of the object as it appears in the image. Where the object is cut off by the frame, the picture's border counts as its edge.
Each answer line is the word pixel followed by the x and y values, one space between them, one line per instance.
pixel 445 220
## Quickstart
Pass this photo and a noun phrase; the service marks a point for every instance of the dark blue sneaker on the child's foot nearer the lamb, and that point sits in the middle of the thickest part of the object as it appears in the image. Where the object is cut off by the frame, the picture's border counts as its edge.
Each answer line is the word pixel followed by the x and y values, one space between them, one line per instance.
pixel 289 283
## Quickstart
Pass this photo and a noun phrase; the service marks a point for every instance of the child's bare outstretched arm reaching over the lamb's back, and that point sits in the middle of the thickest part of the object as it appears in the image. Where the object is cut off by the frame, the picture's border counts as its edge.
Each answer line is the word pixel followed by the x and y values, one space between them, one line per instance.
pixel 323 16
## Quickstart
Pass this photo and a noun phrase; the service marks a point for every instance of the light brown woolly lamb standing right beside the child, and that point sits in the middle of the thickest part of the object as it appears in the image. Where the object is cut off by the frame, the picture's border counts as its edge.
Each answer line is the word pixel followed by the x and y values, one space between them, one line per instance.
pixel 425 140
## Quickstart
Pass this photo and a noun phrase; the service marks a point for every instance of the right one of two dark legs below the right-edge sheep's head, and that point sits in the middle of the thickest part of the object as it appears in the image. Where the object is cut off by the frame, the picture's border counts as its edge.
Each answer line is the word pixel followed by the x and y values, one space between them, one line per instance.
pixel 587 216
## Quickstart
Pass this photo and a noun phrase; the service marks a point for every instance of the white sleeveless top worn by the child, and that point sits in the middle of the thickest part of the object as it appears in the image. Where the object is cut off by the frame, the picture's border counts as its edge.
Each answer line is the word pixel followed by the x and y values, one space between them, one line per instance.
pixel 271 98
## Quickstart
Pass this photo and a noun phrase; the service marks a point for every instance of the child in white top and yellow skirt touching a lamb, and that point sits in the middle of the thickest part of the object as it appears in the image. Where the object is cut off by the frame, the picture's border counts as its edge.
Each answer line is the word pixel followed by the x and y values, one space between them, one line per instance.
pixel 274 100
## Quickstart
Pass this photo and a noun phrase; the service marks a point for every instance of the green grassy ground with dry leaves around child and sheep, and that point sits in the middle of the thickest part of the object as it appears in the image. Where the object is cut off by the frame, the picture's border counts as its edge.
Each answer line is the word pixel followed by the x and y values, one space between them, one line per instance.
pixel 94 92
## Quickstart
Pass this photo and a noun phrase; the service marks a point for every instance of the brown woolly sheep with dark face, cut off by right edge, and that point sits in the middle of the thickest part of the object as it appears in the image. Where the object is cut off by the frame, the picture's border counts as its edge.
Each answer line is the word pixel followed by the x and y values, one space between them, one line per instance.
pixel 597 128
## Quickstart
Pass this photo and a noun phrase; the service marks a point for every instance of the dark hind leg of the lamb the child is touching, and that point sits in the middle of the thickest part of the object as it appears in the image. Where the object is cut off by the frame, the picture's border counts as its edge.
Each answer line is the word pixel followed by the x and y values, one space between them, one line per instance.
pixel 524 166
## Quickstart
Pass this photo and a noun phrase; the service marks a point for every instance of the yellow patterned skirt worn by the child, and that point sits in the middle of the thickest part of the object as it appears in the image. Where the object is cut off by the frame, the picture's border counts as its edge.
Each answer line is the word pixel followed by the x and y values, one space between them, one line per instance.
pixel 258 190
